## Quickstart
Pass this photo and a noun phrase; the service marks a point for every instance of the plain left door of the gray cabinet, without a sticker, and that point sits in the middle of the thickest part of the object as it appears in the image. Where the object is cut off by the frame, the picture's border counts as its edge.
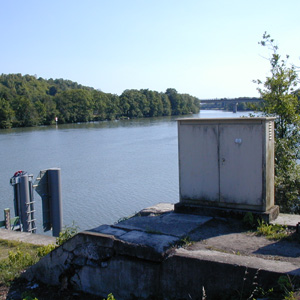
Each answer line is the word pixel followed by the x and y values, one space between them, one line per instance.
pixel 198 162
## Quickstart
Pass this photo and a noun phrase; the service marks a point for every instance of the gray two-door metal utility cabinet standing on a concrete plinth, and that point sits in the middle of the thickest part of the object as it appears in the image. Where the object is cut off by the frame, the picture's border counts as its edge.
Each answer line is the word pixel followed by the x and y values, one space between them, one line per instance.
pixel 227 162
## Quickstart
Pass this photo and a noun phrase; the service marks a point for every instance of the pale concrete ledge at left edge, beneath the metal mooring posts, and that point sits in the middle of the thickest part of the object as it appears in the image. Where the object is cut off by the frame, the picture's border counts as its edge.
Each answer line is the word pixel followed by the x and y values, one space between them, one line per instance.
pixel 26 237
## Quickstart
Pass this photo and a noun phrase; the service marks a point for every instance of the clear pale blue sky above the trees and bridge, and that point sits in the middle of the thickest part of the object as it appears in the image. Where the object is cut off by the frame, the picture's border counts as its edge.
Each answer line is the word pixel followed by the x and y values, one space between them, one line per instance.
pixel 206 48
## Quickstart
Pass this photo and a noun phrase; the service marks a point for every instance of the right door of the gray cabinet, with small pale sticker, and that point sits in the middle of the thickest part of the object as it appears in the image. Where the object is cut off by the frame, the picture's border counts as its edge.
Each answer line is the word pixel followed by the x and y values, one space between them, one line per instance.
pixel 241 154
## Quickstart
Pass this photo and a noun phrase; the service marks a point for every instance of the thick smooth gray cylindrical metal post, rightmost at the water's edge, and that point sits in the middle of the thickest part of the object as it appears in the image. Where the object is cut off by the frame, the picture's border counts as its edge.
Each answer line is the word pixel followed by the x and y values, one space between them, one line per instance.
pixel 54 181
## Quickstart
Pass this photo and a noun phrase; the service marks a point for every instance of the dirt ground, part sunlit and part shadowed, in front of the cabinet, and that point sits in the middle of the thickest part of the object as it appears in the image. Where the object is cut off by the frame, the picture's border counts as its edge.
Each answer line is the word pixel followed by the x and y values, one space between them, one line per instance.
pixel 231 236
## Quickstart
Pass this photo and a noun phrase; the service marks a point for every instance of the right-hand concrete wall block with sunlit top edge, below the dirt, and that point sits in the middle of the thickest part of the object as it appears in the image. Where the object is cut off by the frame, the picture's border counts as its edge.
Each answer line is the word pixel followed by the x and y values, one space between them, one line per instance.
pixel 185 274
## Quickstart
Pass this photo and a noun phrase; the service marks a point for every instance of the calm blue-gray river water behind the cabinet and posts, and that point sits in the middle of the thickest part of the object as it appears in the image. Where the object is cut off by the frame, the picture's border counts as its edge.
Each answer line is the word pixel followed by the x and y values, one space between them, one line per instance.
pixel 109 170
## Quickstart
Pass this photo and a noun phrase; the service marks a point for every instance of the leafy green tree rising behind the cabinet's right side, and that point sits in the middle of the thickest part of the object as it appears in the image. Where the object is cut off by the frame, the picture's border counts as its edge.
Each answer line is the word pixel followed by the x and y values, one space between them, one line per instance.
pixel 280 100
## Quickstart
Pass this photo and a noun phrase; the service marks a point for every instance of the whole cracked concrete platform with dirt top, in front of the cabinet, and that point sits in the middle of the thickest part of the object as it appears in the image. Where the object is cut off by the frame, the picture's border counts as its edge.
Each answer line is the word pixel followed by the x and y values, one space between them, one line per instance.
pixel 160 253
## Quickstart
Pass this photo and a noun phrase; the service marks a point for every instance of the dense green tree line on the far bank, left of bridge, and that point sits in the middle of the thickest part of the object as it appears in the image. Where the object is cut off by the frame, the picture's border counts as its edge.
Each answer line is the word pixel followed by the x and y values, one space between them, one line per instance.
pixel 30 101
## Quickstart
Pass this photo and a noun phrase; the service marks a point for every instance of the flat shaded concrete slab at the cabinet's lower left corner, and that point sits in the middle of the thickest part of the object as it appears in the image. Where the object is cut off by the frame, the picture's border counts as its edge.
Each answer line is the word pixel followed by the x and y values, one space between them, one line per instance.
pixel 173 224
